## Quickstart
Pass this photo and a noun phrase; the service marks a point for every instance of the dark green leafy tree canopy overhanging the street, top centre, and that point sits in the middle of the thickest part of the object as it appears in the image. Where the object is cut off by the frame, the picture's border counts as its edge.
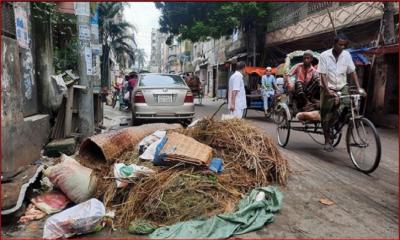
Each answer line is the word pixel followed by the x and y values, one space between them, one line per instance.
pixel 197 21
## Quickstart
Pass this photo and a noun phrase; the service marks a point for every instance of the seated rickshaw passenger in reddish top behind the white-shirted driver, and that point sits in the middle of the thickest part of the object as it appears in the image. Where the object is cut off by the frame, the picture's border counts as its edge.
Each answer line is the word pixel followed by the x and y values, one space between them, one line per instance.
pixel 307 84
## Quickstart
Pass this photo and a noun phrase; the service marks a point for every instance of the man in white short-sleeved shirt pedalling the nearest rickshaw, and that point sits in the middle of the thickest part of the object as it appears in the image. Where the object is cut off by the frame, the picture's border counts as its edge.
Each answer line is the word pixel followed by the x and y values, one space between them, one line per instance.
pixel 334 66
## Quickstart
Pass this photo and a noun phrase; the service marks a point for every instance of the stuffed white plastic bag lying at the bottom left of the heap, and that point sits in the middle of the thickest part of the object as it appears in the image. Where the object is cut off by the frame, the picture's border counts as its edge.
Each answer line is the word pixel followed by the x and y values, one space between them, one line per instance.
pixel 83 218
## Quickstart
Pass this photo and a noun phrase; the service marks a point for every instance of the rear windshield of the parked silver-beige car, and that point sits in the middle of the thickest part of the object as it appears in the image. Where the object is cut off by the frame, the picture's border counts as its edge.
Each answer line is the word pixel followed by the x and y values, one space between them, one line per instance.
pixel 161 81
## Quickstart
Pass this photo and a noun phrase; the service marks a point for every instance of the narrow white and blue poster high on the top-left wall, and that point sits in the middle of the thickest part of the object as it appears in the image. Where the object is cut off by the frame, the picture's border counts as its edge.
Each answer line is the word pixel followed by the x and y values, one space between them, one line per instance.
pixel 21 27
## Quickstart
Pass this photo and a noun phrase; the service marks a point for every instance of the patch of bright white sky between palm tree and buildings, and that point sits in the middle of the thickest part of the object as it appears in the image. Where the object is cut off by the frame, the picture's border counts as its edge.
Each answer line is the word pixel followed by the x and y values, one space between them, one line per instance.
pixel 144 16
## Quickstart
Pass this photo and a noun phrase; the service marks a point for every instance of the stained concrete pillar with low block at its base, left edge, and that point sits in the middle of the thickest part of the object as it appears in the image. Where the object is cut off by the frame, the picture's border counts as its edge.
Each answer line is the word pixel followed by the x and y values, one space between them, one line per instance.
pixel 22 138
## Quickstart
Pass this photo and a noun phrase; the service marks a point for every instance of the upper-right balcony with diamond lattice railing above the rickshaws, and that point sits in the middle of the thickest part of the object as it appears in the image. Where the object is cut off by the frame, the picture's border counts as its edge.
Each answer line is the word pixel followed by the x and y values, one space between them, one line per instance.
pixel 293 21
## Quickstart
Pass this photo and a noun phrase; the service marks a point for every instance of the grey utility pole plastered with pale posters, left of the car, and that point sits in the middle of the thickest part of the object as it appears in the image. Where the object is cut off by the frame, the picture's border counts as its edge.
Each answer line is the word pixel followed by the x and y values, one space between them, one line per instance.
pixel 86 109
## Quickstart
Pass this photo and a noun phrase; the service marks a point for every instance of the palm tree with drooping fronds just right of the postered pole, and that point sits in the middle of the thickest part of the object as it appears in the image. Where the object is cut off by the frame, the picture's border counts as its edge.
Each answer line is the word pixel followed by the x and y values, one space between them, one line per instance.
pixel 115 34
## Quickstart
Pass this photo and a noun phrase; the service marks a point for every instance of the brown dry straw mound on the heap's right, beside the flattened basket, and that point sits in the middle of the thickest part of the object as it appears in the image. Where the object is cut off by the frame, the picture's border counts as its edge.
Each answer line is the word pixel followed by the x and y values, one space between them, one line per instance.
pixel 249 155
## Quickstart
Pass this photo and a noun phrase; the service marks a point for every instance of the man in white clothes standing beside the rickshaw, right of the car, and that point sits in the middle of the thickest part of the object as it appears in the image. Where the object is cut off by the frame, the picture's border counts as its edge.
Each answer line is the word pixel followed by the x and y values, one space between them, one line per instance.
pixel 237 95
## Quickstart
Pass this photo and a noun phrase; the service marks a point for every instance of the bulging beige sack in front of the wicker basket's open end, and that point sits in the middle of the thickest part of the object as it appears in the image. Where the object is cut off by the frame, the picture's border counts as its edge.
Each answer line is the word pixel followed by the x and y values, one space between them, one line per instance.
pixel 72 178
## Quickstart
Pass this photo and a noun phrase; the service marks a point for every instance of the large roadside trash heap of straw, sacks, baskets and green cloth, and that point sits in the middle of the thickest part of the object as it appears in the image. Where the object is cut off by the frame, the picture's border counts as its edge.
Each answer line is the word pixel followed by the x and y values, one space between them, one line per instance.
pixel 167 181
